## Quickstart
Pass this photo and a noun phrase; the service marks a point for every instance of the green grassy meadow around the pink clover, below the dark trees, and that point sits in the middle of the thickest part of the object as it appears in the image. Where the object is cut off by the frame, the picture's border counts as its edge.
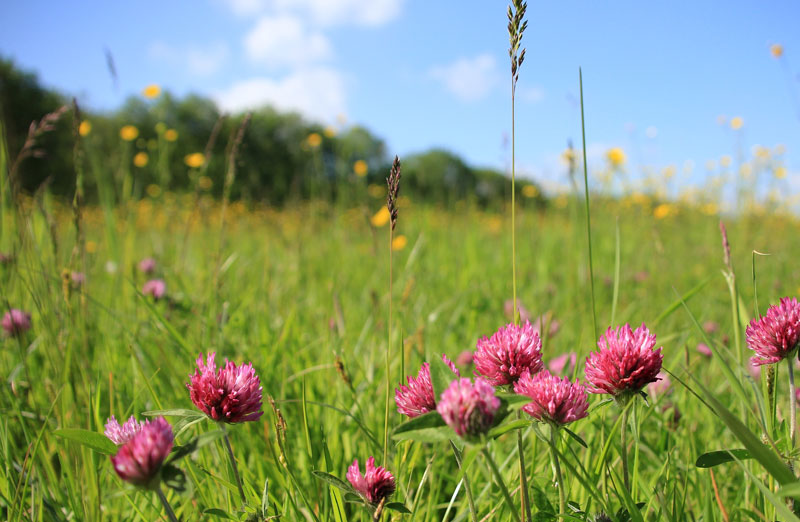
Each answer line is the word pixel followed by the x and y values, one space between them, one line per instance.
pixel 302 293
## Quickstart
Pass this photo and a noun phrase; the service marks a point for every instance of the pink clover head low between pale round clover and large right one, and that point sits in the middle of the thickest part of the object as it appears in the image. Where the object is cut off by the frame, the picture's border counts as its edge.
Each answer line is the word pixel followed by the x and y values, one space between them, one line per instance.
pixel 553 400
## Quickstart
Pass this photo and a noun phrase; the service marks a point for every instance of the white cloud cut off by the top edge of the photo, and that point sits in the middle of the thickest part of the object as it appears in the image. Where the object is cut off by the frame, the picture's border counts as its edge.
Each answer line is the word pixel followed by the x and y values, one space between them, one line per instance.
pixel 370 13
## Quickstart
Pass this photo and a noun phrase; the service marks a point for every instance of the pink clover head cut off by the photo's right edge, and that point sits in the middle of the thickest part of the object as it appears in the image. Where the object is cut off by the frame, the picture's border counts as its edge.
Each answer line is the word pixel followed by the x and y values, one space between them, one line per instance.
pixel 776 335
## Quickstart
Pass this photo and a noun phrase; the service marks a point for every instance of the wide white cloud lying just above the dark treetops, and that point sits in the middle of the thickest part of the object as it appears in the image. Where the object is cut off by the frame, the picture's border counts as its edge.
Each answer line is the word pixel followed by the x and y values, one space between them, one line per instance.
pixel 318 93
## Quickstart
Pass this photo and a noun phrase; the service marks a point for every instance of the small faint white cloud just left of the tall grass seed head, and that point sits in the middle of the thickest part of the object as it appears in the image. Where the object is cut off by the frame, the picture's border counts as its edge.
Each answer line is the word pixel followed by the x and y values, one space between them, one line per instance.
pixel 469 79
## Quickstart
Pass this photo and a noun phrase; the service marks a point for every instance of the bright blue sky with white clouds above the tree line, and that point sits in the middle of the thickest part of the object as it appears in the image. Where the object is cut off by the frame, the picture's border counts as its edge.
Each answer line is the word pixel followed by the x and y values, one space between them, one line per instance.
pixel 658 76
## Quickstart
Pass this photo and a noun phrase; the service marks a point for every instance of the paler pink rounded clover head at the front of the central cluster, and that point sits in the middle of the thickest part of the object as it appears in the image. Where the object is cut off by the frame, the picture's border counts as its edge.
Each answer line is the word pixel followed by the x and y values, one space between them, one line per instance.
pixel 468 408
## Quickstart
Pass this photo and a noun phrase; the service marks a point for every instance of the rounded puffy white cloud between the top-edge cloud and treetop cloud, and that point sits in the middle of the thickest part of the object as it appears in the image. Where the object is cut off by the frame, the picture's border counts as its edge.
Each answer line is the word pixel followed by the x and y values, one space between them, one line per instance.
pixel 283 40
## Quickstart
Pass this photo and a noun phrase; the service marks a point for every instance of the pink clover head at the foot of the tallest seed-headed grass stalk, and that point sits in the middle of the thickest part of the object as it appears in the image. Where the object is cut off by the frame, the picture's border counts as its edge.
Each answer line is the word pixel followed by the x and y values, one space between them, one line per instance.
pixel 504 357
